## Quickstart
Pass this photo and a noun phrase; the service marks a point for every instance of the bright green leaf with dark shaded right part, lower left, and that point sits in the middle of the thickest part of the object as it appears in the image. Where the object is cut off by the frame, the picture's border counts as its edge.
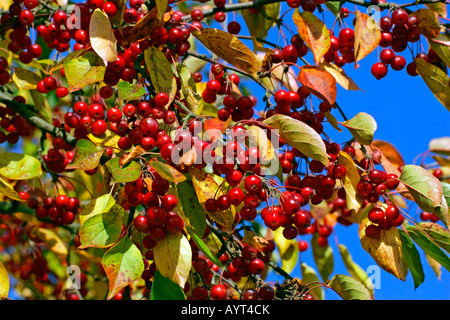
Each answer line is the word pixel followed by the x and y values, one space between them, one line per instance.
pixel 101 230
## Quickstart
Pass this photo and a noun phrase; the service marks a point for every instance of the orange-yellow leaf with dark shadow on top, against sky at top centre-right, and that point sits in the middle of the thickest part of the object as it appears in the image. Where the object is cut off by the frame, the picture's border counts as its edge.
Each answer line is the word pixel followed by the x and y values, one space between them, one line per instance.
pixel 314 32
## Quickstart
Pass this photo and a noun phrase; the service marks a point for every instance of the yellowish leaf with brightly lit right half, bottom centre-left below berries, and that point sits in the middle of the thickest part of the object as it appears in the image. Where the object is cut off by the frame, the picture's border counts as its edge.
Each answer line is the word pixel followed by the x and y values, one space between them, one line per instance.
pixel 173 258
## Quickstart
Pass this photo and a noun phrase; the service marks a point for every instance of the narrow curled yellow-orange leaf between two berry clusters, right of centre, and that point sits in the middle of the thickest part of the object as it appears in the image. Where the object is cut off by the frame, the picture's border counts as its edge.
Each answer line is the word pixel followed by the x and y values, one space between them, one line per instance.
pixel 354 200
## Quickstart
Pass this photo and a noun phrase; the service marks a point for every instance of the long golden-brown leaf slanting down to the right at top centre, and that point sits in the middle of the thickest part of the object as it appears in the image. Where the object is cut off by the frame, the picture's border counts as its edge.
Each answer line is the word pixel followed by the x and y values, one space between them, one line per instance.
pixel 229 48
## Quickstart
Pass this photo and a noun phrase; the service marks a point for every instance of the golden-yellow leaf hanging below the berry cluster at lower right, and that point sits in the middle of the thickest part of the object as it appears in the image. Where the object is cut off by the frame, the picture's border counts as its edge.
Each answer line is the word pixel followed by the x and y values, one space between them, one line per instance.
pixel 386 251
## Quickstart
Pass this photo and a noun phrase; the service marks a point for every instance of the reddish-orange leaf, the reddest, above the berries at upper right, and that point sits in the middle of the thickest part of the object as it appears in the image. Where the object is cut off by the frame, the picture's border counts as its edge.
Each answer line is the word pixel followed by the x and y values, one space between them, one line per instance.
pixel 320 82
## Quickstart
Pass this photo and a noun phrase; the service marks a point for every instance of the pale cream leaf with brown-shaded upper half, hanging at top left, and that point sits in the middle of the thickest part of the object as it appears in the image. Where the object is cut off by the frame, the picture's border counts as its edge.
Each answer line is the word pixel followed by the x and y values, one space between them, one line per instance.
pixel 102 36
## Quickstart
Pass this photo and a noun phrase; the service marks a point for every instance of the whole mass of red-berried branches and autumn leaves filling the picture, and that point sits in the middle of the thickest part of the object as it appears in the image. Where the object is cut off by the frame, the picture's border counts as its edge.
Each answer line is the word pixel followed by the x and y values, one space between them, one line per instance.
pixel 137 163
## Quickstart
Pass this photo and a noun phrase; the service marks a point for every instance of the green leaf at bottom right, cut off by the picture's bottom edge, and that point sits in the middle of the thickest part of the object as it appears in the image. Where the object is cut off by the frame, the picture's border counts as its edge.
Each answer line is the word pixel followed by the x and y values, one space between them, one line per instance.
pixel 348 288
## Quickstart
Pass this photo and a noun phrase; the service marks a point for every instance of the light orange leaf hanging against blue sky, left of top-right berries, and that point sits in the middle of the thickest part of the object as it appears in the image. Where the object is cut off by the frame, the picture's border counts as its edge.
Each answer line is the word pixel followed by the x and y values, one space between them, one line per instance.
pixel 367 35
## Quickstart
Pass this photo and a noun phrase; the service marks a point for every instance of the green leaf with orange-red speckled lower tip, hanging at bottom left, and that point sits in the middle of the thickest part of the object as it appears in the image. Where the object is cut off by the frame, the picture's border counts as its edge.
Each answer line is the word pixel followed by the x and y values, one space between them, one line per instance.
pixel 123 263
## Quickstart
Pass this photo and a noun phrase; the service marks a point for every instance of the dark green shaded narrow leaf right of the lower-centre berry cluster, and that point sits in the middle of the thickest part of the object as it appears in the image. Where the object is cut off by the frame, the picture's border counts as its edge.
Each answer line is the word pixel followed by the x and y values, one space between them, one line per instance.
pixel 193 212
